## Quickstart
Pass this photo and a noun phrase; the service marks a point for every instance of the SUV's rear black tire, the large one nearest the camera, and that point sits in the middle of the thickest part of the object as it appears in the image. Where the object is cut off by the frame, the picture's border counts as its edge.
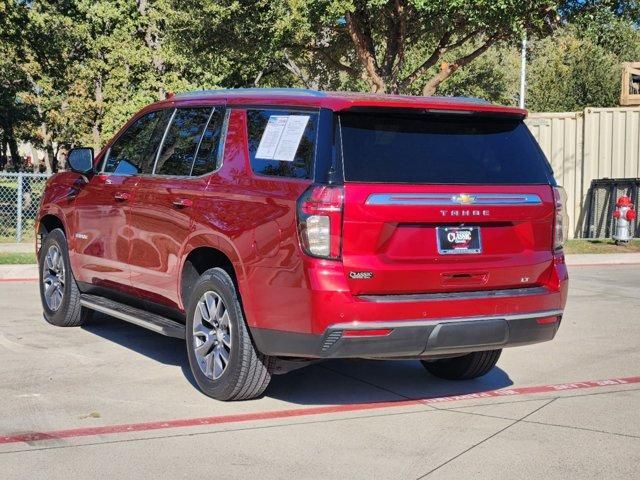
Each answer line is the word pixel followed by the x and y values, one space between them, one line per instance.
pixel 247 372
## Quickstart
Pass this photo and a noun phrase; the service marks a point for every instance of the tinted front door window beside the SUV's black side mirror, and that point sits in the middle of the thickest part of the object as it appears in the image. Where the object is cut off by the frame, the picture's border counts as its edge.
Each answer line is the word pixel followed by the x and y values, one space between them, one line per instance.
pixel 134 151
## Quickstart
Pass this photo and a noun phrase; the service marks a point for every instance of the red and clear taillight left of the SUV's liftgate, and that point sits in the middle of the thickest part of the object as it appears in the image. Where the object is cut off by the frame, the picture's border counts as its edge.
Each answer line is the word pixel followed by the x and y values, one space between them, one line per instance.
pixel 320 221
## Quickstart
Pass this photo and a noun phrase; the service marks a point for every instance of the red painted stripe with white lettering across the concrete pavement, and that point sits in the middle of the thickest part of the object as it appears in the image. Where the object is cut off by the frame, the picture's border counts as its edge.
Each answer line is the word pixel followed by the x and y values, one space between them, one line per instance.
pixel 301 412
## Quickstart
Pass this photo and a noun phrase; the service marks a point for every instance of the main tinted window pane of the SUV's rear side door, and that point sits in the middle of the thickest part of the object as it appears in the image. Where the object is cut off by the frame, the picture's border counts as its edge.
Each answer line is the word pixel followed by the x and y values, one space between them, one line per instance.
pixel 182 139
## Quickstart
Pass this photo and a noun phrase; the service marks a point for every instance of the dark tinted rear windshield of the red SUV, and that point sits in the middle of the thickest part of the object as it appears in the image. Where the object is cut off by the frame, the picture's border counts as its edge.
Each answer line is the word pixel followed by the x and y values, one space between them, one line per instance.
pixel 430 148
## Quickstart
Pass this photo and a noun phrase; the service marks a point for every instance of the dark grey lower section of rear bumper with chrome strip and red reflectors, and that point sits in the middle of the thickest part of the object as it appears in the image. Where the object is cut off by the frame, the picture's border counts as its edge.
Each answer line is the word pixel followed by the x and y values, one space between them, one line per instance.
pixel 413 338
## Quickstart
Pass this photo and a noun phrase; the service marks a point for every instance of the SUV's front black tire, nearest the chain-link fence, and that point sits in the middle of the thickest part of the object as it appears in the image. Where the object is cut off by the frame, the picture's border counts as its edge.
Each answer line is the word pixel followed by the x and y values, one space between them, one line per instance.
pixel 69 312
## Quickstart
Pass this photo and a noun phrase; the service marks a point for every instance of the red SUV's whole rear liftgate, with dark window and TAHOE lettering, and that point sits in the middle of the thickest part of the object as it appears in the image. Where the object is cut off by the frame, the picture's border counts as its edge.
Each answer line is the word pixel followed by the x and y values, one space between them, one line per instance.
pixel 443 203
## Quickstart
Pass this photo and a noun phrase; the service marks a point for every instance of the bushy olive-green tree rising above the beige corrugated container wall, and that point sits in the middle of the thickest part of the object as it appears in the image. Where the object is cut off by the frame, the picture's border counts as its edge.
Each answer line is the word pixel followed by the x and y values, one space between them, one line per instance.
pixel 580 66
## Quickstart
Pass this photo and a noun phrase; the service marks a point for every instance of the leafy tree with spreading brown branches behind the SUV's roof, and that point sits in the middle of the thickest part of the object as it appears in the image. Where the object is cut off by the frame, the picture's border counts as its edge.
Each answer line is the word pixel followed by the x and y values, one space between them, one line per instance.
pixel 382 45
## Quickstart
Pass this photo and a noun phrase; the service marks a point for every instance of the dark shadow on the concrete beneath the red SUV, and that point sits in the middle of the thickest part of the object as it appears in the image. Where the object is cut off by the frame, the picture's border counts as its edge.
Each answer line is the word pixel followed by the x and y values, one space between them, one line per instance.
pixel 332 382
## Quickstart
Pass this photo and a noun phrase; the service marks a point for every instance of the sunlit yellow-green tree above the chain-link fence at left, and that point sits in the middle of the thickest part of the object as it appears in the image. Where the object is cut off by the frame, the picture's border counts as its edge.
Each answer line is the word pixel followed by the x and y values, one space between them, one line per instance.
pixel 88 65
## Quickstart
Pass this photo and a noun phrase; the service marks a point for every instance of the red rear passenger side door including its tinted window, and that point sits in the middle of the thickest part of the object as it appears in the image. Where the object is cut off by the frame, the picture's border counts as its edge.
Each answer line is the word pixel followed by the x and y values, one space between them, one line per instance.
pixel 161 215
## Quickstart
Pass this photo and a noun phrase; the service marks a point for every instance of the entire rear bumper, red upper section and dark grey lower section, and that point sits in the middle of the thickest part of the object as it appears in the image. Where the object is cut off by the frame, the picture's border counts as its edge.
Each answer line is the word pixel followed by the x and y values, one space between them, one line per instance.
pixel 319 321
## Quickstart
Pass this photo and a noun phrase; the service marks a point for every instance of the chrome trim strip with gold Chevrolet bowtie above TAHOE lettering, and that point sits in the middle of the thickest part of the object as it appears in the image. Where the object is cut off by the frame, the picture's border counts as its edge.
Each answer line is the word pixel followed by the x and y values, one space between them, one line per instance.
pixel 453 199
